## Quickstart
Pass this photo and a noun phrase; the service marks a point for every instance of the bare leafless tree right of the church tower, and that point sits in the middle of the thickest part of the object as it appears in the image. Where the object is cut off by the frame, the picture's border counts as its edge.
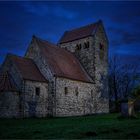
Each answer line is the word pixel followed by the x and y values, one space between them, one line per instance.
pixel 121 79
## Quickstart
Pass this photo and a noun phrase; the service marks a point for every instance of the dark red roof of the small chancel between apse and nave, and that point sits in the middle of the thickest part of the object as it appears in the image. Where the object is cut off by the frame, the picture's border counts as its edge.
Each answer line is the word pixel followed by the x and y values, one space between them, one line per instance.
pixel 27 68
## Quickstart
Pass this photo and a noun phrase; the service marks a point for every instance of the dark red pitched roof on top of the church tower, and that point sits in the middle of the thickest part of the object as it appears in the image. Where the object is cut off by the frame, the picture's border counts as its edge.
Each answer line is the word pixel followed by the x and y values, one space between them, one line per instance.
pixel 79 33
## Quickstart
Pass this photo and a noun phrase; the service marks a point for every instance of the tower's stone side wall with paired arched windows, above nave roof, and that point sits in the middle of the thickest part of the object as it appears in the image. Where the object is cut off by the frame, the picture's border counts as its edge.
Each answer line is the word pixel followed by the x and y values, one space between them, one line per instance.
pixel 84 55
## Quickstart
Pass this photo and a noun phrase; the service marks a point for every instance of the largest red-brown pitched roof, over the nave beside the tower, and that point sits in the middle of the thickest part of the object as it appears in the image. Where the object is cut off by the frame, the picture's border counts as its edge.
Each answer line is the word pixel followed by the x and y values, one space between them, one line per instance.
pixel 62 63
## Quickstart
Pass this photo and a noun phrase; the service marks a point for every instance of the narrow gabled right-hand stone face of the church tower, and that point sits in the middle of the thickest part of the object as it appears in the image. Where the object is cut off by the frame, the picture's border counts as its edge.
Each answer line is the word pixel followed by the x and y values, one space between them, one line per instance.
pixel 101 68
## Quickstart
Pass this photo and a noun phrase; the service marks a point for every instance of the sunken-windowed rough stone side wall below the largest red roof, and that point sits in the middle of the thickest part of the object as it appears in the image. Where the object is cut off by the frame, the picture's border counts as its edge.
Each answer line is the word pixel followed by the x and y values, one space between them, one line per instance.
pixel 79 99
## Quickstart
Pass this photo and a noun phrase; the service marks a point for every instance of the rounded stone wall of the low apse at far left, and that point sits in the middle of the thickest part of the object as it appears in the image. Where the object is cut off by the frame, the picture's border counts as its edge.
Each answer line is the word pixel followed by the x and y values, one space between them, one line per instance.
pixel 9 105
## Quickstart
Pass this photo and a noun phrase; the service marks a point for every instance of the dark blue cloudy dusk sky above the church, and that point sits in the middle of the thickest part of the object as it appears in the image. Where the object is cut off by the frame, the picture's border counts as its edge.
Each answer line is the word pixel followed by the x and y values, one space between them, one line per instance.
pixel 48 20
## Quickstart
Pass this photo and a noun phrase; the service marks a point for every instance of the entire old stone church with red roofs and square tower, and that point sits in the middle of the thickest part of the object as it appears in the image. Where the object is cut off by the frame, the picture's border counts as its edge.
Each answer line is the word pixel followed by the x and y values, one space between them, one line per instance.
pixel 67 79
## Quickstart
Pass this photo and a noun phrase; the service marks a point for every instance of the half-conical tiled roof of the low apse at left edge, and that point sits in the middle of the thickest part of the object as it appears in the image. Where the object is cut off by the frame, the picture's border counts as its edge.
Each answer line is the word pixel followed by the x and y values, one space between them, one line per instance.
pixel 7 83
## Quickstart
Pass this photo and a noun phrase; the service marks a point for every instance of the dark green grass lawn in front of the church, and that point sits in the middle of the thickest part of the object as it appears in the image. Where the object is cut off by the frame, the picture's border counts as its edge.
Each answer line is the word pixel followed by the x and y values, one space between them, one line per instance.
pixel 97 126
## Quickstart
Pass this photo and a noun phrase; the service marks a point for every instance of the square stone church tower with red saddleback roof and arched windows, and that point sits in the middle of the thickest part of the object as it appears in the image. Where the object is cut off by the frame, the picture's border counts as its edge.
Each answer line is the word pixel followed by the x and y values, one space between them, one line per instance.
pixel 90 45
